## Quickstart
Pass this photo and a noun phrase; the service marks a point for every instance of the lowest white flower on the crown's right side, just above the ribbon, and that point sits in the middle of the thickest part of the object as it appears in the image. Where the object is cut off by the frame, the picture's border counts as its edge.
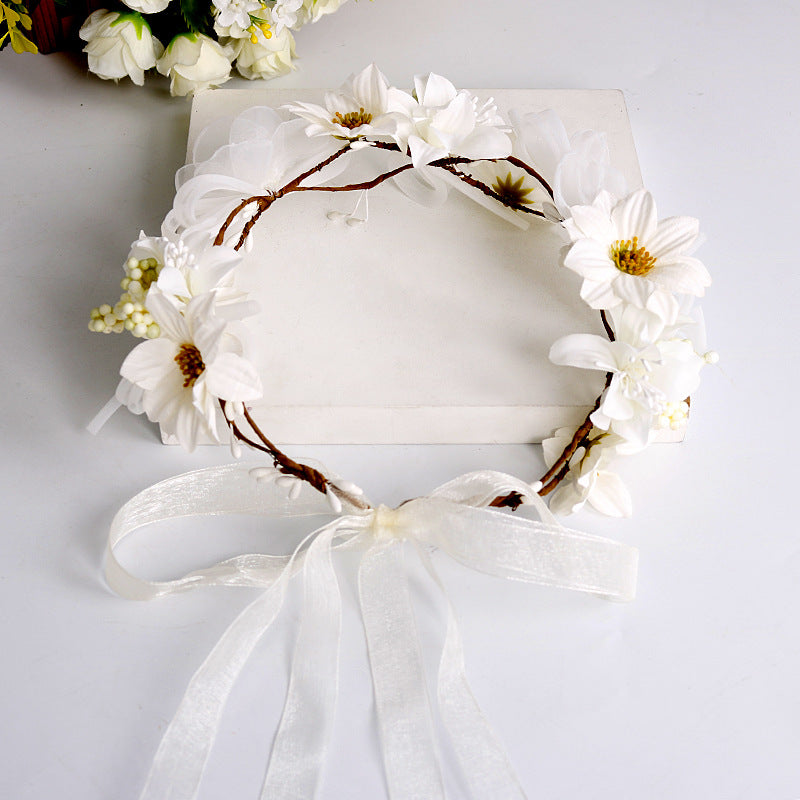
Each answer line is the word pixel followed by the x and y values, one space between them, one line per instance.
pixel 588 480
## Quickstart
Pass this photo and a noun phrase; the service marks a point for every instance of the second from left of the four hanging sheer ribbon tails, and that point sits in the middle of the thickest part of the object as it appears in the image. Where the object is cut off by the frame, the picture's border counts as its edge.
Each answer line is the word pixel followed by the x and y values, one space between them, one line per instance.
pixel 298 751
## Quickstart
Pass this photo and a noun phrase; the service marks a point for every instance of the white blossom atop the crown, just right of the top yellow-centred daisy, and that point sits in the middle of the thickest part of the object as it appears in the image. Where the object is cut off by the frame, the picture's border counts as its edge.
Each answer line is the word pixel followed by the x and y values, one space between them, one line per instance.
pixel 443 121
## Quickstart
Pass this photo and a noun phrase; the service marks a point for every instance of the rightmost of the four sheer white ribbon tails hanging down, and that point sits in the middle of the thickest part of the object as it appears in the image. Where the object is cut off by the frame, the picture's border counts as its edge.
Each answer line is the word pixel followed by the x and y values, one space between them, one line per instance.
pixel 484 762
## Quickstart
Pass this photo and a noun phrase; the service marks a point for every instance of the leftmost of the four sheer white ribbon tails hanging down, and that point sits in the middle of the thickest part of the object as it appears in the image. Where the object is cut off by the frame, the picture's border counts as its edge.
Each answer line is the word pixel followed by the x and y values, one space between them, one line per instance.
pixel 184 750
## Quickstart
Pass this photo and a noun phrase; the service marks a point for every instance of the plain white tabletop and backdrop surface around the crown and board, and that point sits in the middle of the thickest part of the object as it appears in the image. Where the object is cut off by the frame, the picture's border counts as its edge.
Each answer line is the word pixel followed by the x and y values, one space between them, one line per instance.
pixel 689 692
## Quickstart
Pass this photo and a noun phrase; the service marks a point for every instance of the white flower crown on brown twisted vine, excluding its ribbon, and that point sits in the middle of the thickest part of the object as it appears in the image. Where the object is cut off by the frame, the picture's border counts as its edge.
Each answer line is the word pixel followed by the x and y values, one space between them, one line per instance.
pixel 191 373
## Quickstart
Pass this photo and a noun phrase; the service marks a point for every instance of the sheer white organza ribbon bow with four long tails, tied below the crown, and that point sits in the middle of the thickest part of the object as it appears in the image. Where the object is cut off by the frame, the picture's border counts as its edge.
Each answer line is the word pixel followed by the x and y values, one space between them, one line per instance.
pixel 455 519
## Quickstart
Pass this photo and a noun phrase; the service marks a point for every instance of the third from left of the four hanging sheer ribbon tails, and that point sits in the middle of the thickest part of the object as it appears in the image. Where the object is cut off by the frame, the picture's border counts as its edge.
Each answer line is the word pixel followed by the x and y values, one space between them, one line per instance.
pixel 402 704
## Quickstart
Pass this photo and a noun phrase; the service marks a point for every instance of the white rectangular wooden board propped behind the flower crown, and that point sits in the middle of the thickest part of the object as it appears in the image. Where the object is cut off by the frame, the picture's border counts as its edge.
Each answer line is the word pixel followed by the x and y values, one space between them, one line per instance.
pixel 423 325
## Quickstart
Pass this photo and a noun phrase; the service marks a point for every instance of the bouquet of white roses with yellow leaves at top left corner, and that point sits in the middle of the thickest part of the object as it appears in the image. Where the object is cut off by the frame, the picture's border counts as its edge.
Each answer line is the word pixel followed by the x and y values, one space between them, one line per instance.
pixel 196 43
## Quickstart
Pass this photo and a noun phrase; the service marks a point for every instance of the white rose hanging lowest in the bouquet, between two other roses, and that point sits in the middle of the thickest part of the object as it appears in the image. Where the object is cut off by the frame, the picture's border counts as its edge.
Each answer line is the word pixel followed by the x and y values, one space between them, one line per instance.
pixel 193 62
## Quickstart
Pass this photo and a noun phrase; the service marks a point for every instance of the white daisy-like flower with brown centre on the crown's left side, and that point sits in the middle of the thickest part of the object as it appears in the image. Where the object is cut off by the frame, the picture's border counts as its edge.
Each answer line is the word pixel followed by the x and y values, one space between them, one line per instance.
pixel 184 373
